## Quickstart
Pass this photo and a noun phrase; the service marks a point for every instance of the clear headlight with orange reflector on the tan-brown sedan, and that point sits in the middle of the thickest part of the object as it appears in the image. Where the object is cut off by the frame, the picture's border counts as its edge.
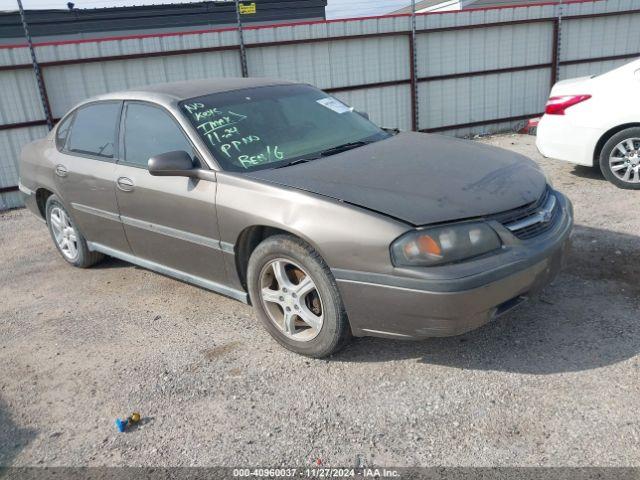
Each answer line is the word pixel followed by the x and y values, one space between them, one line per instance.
pixel 446 244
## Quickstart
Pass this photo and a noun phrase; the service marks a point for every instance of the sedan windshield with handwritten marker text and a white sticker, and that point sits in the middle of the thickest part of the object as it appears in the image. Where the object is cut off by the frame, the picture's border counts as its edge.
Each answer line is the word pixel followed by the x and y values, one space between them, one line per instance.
pixel 267 127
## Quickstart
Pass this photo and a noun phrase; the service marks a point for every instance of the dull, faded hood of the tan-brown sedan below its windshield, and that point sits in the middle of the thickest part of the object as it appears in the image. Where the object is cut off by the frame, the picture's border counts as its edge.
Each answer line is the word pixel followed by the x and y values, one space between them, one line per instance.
pixel 419 178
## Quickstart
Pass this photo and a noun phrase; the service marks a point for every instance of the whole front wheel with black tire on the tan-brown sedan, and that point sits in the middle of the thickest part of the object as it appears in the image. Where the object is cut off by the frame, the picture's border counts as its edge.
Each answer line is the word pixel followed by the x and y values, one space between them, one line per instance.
pixel 322 301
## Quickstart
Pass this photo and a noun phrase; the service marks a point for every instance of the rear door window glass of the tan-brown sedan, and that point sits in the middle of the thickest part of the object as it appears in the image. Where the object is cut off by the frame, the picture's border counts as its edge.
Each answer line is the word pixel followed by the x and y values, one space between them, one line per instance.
pixel 94 130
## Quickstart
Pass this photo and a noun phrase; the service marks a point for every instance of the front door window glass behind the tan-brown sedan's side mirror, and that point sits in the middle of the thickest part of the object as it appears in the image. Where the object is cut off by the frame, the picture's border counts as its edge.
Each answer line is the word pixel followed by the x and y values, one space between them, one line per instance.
pixel 150 131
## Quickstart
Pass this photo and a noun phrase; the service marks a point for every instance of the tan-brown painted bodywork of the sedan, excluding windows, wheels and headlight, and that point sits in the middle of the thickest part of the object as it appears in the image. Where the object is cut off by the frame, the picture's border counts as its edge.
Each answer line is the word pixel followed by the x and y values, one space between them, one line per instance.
pixel 348 208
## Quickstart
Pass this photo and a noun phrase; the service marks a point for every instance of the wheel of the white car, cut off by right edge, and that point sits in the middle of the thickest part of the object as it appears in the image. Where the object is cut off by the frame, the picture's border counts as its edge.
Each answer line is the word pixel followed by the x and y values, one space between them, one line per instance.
pixel 611 150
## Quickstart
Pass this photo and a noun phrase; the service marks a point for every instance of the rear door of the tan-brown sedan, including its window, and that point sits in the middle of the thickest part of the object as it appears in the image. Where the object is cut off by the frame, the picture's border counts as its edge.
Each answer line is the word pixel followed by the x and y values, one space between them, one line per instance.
pixel 85 169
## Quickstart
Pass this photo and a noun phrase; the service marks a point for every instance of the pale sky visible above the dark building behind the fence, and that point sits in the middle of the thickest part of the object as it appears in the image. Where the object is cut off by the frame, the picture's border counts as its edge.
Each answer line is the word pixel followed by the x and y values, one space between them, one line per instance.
pixel 335 8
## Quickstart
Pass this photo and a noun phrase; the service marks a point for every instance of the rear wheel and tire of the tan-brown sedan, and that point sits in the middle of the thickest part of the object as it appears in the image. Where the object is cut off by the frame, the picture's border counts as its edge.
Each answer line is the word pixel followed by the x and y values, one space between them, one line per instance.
pixel 78 254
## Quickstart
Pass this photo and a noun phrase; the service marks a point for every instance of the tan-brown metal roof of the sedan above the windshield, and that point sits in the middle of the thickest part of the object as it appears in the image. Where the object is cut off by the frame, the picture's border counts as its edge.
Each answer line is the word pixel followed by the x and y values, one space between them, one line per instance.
pixel 192 88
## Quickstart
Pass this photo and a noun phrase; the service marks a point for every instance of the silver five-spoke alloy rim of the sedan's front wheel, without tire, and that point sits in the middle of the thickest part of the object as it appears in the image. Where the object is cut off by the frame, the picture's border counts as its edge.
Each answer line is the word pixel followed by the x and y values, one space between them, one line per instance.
pixel 291 299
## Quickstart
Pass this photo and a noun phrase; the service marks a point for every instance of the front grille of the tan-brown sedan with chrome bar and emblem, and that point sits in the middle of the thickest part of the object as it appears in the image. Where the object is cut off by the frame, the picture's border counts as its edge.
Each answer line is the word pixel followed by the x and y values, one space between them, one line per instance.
pixel 533 219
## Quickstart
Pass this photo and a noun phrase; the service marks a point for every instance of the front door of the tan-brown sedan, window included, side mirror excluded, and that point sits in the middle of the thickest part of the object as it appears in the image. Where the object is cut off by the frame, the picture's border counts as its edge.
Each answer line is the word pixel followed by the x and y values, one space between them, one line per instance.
pixel 170 221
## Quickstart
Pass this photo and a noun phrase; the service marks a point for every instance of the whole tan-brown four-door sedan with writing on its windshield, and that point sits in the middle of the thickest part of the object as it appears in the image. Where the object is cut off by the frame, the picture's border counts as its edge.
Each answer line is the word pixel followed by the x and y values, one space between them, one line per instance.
pixel 282 196
